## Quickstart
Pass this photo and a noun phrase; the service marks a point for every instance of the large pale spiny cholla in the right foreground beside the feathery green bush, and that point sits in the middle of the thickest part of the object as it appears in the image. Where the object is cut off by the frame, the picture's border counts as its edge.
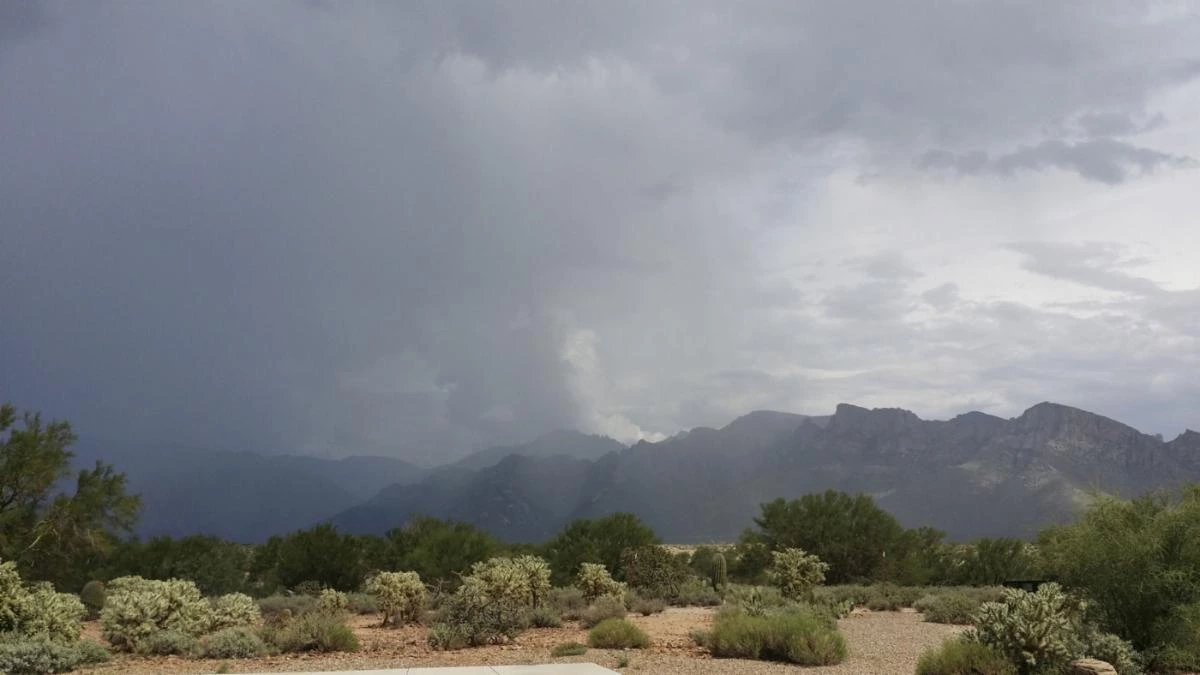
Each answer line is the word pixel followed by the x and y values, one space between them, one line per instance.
pixel 1035 631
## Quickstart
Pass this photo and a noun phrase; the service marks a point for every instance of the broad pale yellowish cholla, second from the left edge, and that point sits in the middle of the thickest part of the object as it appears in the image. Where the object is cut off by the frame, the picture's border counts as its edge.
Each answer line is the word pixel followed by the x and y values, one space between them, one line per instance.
pixel 139 608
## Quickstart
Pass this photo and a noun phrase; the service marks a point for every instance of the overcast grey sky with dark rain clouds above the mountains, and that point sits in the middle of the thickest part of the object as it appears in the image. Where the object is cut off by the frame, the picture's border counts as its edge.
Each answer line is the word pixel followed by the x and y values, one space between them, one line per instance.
pixel 428 226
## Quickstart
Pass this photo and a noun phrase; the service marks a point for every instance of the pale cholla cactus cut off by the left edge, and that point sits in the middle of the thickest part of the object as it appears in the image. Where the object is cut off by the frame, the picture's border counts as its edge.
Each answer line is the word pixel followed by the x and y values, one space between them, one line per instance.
pixel 38 612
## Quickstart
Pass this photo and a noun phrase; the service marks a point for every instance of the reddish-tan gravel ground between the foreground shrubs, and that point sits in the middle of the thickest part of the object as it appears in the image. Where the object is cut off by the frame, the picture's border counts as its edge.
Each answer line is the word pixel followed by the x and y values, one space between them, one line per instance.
pixel 885 643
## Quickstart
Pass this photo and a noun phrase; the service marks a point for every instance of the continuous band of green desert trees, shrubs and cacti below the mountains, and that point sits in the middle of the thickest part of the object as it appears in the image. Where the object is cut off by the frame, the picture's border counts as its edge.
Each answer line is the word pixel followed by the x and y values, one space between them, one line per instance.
pixel 1120 583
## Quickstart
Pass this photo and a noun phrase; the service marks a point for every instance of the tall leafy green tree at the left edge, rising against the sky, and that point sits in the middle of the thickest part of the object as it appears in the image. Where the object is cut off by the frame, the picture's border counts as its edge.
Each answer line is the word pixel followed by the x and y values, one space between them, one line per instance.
pixel 56 536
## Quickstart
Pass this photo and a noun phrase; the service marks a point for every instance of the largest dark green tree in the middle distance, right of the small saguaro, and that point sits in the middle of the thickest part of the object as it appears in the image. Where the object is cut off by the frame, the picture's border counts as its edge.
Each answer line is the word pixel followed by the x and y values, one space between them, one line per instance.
pixel 851 534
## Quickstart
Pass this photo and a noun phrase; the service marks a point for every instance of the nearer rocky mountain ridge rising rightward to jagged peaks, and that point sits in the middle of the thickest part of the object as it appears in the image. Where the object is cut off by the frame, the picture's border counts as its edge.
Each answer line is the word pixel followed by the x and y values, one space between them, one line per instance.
pixel 976 475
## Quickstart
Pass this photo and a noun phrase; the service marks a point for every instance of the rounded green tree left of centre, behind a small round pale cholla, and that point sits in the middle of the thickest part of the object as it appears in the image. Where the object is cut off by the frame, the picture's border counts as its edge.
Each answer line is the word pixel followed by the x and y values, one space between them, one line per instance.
pixel 439 551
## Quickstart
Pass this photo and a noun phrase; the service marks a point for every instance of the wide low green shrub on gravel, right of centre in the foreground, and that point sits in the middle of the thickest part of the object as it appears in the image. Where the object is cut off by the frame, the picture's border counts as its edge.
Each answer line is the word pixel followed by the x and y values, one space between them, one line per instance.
pixel 805 636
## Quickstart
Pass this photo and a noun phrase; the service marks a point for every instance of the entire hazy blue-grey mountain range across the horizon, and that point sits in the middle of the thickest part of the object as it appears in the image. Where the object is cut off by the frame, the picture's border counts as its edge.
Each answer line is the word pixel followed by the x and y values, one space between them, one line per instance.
pixel 973 476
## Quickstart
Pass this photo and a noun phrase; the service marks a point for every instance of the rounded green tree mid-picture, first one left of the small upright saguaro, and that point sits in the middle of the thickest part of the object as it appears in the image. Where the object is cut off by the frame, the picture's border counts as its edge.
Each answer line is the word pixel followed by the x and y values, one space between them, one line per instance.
pixel 596 541
